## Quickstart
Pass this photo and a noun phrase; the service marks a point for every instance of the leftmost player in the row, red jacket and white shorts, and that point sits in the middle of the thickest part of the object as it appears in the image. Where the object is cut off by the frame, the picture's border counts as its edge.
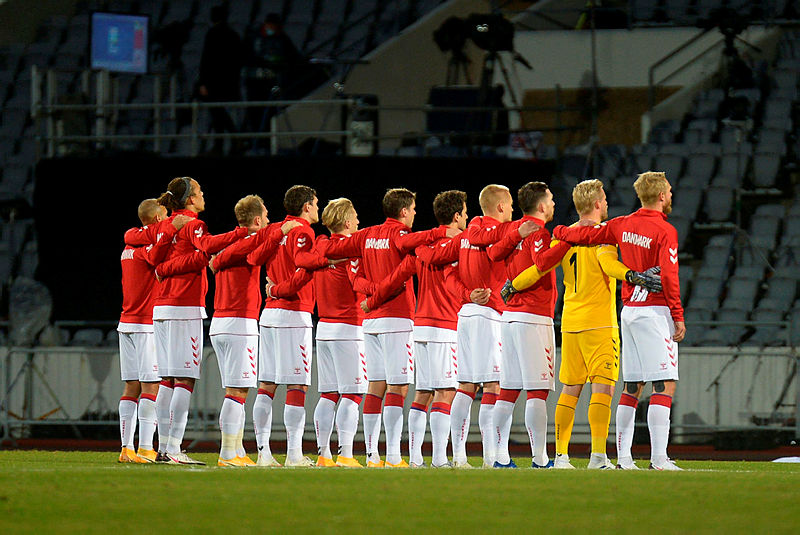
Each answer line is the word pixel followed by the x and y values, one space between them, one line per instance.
pixel 137 352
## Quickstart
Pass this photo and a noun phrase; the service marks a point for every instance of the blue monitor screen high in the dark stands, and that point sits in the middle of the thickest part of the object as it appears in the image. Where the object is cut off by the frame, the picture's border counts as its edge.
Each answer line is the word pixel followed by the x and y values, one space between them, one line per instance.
pixel 119 42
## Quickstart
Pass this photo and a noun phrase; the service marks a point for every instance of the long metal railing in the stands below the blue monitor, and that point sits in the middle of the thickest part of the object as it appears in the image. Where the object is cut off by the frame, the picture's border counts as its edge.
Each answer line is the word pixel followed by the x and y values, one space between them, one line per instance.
pixel 104 113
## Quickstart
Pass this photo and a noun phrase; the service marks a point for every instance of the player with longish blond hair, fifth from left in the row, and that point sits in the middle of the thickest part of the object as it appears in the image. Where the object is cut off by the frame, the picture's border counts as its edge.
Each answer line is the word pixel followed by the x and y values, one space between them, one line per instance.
pixel 341 365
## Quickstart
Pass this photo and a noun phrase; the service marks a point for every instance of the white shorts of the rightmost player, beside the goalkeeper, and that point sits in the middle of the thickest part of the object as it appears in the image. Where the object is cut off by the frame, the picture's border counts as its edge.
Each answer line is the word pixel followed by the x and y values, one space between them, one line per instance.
pixel 648 351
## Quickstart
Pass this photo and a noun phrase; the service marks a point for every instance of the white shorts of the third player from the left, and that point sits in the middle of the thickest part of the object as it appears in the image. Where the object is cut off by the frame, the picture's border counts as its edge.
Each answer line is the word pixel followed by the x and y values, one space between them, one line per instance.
pixel 237 356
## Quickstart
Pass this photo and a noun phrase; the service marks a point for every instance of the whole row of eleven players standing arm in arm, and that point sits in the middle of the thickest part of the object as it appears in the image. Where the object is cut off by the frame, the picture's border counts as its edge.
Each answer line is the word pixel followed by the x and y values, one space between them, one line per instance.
pixel 482 318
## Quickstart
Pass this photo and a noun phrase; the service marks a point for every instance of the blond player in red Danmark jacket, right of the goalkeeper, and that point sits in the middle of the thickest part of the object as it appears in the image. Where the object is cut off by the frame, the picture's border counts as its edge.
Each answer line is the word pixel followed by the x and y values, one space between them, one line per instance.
pixel 651 323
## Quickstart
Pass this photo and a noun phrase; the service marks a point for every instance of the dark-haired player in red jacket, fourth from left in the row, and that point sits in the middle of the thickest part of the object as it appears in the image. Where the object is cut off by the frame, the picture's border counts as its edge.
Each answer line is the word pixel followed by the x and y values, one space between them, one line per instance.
pixel 285 352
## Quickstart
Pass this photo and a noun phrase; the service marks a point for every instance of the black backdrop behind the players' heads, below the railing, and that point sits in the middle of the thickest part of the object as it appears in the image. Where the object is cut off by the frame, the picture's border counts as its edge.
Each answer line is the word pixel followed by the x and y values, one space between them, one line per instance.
pixel 83 206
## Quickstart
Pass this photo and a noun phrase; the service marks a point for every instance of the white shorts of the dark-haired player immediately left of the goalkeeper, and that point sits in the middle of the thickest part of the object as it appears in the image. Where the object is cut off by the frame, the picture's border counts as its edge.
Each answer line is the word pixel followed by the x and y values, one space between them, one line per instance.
pixel 528 356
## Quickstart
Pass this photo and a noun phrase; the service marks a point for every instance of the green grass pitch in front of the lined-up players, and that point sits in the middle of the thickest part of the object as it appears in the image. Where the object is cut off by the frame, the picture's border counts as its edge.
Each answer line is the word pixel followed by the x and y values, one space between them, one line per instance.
pixel 88 492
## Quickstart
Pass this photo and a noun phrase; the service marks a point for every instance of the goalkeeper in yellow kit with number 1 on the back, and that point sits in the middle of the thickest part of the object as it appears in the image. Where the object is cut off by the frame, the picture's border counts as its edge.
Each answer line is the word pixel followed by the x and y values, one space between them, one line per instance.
pixel 590 332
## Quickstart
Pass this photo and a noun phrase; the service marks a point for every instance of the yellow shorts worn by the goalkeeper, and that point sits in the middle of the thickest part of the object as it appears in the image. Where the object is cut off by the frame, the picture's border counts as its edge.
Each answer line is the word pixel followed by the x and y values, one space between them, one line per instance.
pixel 590 355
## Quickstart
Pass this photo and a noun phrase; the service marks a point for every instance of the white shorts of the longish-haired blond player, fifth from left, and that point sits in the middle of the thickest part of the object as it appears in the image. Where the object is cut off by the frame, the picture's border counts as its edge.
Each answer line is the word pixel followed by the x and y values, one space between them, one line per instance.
pixel 341 366
